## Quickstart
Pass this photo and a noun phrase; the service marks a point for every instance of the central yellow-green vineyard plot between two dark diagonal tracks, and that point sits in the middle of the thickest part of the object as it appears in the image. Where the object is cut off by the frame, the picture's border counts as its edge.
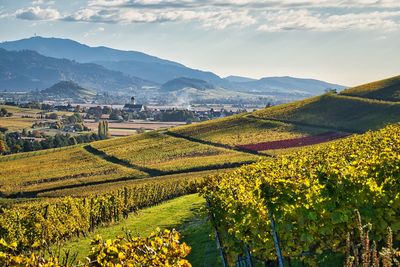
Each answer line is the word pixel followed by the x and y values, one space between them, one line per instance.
pixel 165 153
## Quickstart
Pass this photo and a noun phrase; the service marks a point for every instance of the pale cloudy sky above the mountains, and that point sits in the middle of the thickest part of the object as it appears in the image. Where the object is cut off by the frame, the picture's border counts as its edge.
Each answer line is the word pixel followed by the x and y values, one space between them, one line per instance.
pixel 342 41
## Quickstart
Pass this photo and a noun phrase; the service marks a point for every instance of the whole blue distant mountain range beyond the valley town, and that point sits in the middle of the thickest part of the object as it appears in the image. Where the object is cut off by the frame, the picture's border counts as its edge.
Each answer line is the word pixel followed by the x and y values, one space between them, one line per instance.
pixel 107 69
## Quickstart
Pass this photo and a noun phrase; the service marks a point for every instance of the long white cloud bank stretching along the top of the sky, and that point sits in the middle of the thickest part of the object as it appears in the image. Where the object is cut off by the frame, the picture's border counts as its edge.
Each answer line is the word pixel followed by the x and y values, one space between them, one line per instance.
pixel 264 15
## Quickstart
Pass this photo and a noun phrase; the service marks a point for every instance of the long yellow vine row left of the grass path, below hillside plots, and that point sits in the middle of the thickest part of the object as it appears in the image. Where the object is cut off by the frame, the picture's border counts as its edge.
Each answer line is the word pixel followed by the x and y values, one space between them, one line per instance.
pixel 44 222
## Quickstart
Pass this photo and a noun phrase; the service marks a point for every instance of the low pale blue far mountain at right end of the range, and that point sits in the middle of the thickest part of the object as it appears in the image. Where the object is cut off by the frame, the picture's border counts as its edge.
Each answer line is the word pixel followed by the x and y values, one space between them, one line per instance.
pixel 286 85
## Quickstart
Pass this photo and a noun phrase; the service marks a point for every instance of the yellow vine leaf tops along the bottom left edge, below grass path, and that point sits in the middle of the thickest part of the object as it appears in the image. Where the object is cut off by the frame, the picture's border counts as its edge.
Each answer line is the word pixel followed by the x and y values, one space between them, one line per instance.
pixel 160 248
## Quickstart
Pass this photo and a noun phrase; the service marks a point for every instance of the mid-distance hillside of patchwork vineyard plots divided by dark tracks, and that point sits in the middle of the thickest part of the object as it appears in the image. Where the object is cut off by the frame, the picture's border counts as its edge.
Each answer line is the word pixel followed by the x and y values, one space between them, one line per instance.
pixel 189 149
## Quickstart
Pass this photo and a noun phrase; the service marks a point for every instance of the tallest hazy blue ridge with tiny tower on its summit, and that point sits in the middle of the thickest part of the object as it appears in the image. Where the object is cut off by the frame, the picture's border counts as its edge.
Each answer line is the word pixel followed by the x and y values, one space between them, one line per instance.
pixel 132 63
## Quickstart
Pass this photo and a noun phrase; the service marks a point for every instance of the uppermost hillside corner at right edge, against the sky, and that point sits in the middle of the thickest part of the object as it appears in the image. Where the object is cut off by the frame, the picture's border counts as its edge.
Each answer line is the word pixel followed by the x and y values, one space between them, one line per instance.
pixel 387 89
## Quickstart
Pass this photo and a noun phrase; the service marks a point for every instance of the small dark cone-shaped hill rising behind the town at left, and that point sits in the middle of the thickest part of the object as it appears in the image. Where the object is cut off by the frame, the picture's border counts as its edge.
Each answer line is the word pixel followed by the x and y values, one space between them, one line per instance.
pixel 68 89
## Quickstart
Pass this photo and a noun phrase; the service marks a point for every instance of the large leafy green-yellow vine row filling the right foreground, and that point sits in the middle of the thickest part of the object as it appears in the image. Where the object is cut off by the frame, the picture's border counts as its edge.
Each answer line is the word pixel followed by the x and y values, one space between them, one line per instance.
pixel 308 198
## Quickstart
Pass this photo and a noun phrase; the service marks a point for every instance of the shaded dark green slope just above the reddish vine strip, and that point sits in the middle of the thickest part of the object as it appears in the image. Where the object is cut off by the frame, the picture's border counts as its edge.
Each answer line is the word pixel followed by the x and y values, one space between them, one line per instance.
pixel 336 111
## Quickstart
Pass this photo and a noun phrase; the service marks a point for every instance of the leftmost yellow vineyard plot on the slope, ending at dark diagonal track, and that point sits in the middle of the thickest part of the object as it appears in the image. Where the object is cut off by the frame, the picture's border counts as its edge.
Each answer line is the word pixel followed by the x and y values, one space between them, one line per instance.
pixel 59 169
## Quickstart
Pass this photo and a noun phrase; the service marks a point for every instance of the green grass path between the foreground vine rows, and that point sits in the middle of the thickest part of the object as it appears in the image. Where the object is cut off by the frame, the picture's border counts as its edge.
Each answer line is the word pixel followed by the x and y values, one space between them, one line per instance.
pixel 183 213
